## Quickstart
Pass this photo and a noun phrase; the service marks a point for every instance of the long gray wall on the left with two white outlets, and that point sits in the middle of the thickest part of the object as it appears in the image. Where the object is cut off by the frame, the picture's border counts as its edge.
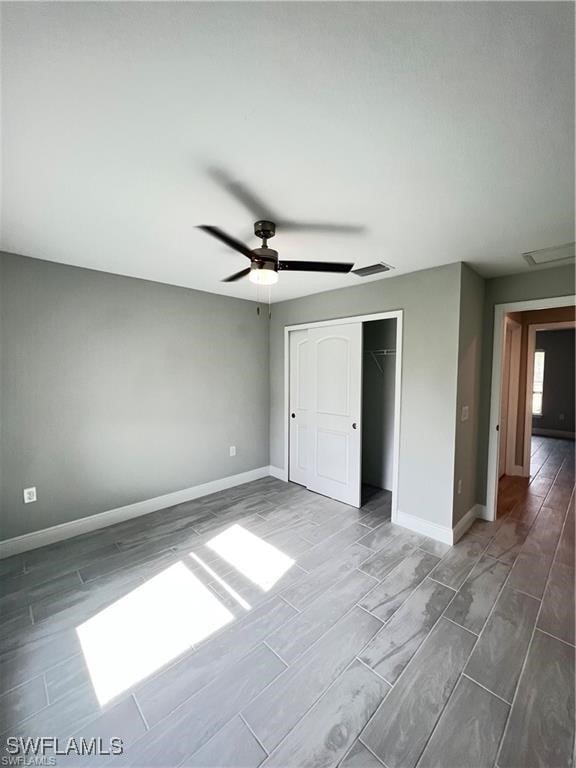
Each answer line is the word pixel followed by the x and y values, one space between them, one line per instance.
pixel 115 390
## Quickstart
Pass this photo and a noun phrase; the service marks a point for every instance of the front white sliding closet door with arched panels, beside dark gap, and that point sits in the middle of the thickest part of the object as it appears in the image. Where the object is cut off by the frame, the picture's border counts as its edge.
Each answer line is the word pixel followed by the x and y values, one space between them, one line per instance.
pixel 335 357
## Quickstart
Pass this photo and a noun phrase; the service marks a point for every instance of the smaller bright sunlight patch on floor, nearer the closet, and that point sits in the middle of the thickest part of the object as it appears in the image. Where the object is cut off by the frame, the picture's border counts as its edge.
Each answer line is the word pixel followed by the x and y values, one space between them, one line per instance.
pixel 256 559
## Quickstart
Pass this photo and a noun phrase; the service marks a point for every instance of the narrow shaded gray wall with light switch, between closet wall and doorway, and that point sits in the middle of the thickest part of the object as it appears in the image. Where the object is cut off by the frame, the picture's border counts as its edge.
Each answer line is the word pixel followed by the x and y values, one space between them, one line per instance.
pixel 469 373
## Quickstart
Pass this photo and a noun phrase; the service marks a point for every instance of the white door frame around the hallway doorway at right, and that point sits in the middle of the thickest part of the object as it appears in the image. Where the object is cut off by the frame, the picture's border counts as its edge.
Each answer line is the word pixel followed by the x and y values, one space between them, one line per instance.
pixel 500 310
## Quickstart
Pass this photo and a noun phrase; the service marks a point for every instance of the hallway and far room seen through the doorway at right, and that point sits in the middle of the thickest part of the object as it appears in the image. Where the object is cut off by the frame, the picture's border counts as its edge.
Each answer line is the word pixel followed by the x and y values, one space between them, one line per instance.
pixel 536 426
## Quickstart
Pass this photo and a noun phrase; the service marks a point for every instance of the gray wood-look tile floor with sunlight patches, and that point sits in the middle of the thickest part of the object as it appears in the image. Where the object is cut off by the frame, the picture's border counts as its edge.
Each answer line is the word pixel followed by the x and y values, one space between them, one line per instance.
pixel 269 626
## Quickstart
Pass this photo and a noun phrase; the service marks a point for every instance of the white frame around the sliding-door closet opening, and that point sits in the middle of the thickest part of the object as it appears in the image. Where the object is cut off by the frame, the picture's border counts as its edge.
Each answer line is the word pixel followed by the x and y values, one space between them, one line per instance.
pixel 392 315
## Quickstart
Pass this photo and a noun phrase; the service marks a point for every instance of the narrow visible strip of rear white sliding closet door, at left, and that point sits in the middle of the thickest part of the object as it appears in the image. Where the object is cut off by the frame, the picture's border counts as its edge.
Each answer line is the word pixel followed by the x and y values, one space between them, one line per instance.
pixel 300 396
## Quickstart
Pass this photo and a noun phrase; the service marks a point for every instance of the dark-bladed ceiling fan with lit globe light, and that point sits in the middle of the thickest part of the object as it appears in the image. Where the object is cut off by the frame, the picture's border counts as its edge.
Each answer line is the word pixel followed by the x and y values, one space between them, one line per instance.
pixel 264 261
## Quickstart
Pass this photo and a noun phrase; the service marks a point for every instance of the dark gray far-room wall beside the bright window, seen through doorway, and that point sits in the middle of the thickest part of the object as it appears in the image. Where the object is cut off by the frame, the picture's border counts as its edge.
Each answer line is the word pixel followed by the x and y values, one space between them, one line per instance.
pixel 558 394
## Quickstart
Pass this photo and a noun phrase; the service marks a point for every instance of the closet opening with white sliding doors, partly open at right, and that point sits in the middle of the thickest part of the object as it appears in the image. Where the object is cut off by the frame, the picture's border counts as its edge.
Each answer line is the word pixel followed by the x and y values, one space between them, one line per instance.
pixel 342 395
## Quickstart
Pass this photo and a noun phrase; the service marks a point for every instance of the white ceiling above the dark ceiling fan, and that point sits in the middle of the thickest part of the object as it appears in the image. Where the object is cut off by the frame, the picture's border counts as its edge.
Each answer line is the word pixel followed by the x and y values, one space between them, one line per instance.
pixel 444 129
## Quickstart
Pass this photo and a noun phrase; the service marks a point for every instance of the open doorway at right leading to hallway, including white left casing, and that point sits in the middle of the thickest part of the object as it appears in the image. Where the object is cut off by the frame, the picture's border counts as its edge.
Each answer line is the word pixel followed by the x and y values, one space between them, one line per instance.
pixel 519 451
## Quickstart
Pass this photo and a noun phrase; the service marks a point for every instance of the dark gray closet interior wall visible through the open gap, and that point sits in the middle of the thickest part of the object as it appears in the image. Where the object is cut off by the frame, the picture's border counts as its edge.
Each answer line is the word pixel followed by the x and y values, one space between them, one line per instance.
pixel 378 385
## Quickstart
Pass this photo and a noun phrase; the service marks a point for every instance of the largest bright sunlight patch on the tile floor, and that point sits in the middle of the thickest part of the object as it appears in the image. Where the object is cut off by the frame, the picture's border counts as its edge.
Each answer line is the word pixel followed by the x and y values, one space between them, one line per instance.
pixel 147 628
